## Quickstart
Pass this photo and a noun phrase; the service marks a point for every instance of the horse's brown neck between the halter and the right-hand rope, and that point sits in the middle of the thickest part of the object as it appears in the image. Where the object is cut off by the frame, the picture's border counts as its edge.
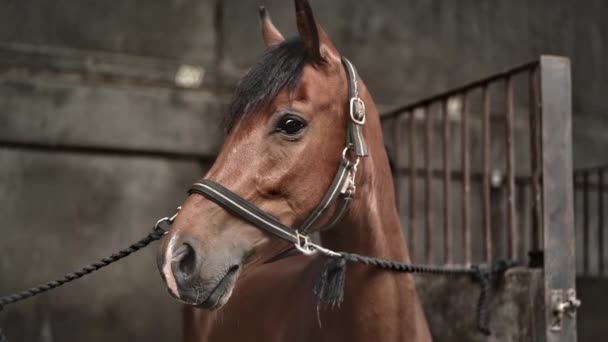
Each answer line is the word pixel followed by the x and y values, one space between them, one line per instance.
pixel 372 225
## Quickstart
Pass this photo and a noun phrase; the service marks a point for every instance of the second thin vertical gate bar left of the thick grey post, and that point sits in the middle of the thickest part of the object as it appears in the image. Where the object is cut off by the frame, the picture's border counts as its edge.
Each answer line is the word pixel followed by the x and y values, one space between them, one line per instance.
pixel 513 237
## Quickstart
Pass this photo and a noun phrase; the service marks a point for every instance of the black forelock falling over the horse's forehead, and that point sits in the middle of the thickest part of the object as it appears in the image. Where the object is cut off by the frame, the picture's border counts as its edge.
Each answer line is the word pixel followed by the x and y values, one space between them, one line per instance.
pixel 279 67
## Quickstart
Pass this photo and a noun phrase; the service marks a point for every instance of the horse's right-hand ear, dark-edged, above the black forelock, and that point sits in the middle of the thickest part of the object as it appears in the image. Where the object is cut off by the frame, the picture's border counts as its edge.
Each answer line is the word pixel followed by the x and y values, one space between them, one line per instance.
pixel 317 42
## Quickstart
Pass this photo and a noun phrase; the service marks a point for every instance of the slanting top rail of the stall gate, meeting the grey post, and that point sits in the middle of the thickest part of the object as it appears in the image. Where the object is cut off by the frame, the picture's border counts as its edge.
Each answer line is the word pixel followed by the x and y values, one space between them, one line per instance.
pixel 458 90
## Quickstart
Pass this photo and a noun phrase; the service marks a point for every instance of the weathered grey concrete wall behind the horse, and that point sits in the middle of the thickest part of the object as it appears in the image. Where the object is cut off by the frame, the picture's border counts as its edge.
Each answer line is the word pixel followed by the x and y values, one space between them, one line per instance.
pixel 62 210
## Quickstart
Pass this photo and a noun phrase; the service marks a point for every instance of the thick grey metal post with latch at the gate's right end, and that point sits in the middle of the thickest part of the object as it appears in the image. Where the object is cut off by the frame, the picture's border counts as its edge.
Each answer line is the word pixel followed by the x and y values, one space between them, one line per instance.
pixel 557 196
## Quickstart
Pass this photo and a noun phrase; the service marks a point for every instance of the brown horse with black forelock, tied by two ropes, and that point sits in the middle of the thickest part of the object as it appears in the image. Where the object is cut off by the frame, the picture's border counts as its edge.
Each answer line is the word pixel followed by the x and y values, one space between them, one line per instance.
pixel 286 132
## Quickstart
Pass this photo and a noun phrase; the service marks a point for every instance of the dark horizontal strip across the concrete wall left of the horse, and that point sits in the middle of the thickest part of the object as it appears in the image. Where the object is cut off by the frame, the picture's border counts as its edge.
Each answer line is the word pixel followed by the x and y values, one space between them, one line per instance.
pixel 104 150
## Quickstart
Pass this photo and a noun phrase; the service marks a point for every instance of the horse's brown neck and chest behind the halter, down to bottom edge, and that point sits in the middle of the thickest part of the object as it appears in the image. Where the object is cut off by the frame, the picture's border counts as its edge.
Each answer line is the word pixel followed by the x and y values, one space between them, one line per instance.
pixel 372 228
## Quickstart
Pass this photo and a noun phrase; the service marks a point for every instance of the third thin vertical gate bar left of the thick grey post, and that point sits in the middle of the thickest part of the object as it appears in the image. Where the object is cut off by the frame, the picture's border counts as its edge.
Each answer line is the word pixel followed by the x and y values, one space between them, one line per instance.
pixel 487 226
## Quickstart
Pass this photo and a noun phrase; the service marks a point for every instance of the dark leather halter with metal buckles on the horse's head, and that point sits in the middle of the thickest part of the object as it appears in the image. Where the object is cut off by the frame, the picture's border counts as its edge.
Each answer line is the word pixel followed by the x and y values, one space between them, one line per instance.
pixel 342 188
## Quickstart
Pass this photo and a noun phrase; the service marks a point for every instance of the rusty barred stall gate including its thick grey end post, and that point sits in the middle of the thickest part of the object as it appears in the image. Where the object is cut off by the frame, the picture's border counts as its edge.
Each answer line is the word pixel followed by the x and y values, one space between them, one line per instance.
pixel 484 172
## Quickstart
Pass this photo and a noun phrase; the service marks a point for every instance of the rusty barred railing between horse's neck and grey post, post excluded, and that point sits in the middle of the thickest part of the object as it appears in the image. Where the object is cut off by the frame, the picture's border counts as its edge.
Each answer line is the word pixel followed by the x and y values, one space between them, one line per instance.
pixel 455 112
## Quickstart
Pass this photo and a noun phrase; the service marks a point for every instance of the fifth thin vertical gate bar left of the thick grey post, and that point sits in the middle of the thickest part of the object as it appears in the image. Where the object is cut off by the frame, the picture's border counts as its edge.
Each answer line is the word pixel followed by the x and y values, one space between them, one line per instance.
pixel 447 219
